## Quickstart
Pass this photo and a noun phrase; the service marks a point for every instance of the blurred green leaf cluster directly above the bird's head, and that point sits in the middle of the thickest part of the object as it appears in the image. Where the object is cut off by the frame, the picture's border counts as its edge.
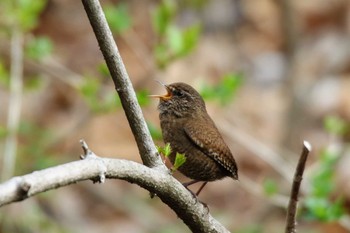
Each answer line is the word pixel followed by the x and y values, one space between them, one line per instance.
pixel 172 41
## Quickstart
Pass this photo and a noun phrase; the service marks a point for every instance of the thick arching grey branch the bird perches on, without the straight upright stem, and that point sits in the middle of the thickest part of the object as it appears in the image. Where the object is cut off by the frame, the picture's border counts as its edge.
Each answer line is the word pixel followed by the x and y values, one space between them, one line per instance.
pixel 95 168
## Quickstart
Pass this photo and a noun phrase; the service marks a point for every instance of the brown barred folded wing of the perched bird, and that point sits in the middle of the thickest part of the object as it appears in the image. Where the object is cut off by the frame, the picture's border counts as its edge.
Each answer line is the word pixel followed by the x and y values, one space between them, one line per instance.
pixel 212 144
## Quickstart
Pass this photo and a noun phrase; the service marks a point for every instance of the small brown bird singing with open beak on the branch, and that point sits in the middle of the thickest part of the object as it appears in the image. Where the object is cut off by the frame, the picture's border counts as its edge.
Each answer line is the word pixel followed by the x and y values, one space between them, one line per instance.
pixel 189 129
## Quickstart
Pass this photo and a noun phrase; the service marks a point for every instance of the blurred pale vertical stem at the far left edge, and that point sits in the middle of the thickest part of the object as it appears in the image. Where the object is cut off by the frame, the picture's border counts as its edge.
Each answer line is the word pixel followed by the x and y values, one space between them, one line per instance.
pixel 16 86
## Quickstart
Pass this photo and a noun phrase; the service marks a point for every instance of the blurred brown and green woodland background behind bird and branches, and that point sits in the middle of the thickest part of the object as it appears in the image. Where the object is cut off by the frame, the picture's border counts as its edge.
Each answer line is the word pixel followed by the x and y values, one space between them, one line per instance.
pixel 273 73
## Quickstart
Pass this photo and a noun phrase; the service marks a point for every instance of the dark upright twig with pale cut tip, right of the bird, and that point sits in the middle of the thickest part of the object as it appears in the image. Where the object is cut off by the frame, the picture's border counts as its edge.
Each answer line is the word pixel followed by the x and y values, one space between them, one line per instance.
pixel 293 201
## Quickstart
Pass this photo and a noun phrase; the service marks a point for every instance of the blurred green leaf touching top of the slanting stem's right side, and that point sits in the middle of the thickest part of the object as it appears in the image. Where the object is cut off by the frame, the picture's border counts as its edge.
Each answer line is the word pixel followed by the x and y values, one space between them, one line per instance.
pixel 118 17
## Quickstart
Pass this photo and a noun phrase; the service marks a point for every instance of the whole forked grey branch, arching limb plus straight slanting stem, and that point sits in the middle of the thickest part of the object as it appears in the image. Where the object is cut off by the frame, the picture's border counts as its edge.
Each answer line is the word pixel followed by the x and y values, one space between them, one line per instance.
pixel 153 175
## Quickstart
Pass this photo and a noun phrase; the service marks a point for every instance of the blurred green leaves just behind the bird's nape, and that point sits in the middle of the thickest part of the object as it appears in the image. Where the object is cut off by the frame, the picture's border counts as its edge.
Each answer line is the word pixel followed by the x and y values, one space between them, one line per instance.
pixel 225 90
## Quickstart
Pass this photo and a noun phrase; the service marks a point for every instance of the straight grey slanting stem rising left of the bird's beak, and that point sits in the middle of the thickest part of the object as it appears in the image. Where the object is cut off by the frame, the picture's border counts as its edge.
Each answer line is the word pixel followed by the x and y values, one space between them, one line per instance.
pixel 147 149
